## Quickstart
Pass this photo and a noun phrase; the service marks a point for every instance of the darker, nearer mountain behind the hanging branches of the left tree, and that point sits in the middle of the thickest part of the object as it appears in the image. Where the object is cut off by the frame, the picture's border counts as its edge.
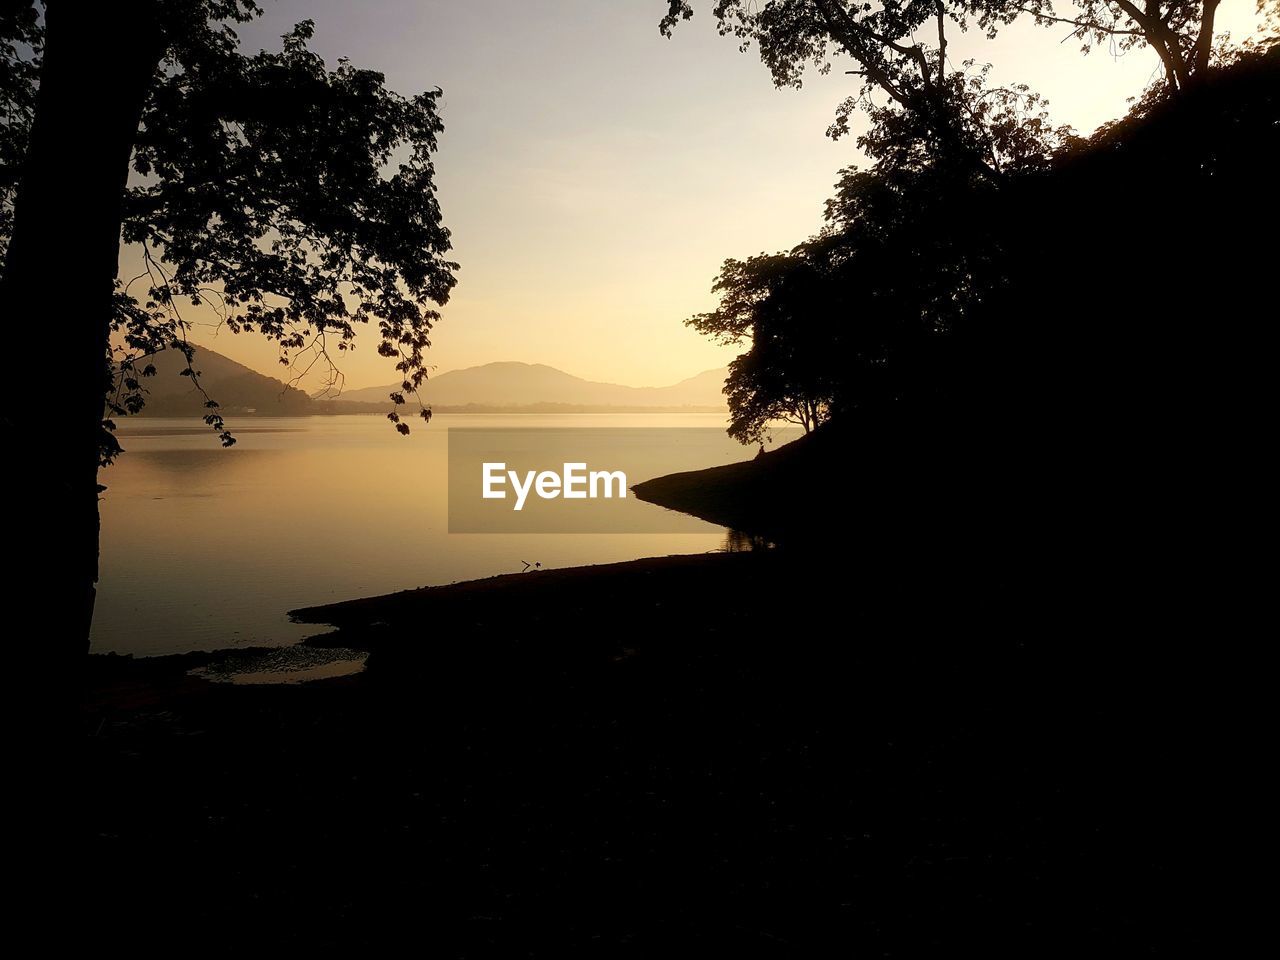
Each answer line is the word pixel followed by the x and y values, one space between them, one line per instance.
pixel 236 388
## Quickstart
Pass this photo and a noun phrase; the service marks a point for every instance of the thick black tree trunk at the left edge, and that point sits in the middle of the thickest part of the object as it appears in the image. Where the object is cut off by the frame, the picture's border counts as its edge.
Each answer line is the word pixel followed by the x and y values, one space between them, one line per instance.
pixel 57 301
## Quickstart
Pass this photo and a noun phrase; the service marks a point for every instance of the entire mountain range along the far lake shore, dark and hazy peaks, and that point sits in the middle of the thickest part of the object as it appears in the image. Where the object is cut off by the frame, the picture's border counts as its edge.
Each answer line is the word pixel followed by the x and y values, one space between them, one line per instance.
pixel 504 387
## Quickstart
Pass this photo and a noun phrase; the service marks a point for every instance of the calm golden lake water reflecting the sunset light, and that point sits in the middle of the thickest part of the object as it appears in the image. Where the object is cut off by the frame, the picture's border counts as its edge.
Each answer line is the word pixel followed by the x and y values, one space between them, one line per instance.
pixel 208 548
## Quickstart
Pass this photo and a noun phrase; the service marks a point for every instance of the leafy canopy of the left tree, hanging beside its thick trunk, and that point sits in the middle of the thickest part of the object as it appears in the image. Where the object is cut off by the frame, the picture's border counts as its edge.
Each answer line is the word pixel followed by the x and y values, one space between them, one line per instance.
pixel 295 200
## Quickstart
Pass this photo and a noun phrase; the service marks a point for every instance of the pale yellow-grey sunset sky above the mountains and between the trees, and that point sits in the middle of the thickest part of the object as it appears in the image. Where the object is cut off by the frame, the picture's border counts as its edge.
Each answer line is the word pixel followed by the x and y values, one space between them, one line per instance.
pixel 596 175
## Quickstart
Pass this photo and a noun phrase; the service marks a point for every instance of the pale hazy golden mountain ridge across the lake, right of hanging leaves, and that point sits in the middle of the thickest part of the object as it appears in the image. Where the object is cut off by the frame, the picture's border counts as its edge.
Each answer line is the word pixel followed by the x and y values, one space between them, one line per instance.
pixel 510 385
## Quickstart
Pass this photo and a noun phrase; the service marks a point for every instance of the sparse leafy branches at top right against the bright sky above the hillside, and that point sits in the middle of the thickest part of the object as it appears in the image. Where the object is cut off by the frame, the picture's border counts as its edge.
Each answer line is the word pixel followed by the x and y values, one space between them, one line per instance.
pixel 917 99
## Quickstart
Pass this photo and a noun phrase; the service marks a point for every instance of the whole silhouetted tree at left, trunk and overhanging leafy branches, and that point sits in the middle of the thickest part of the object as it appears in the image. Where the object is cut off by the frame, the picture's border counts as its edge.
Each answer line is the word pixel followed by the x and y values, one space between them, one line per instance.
pixel 295 199
